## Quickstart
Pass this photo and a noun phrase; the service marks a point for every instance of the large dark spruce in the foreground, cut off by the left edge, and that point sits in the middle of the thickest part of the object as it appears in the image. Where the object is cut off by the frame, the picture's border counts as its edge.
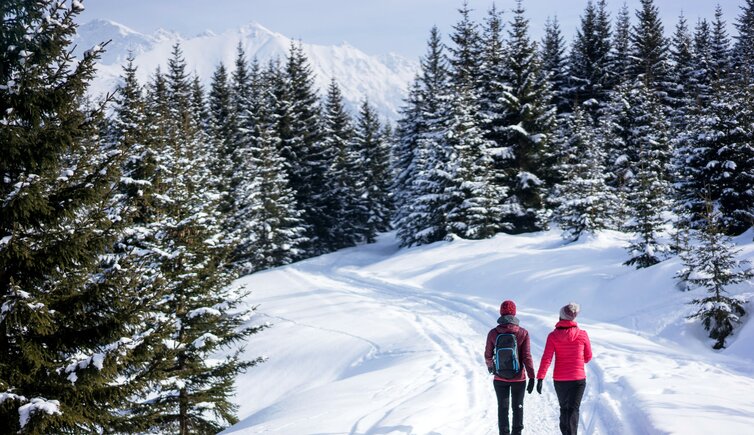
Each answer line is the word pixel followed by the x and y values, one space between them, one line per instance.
pixel 70 318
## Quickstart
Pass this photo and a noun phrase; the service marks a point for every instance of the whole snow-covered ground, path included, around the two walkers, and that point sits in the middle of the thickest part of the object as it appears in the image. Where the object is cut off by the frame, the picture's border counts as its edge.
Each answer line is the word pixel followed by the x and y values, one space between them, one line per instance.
pixel 381 340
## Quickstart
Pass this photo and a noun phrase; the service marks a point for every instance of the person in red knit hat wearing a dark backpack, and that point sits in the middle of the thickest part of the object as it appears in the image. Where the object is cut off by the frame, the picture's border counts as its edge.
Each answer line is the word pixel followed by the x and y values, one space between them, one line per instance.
pixel 509 388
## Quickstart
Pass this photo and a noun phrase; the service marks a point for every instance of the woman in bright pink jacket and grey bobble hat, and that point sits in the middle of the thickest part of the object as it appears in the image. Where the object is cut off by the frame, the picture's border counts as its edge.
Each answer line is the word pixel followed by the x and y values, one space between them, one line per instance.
pixel 572 349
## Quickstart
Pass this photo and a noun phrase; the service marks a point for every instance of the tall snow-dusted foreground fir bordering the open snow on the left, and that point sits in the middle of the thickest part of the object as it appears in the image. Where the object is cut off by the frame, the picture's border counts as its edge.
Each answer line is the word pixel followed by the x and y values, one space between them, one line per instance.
pixel 201 313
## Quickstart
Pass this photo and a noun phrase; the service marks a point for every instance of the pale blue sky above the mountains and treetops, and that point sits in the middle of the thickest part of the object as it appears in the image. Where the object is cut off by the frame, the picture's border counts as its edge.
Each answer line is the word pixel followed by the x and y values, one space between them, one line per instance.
pixel 374 26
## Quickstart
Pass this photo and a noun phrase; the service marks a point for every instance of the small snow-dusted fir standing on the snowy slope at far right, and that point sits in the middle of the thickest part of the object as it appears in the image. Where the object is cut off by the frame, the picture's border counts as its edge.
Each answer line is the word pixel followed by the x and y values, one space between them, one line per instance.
pixel 710 263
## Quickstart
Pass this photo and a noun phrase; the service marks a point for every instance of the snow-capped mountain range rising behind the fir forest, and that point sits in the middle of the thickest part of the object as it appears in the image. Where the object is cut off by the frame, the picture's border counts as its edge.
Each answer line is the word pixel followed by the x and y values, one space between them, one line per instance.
pixel 382 79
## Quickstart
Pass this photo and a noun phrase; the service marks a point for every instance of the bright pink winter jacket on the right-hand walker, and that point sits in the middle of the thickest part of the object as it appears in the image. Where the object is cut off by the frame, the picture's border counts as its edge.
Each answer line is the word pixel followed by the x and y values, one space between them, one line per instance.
pixel 572 350
